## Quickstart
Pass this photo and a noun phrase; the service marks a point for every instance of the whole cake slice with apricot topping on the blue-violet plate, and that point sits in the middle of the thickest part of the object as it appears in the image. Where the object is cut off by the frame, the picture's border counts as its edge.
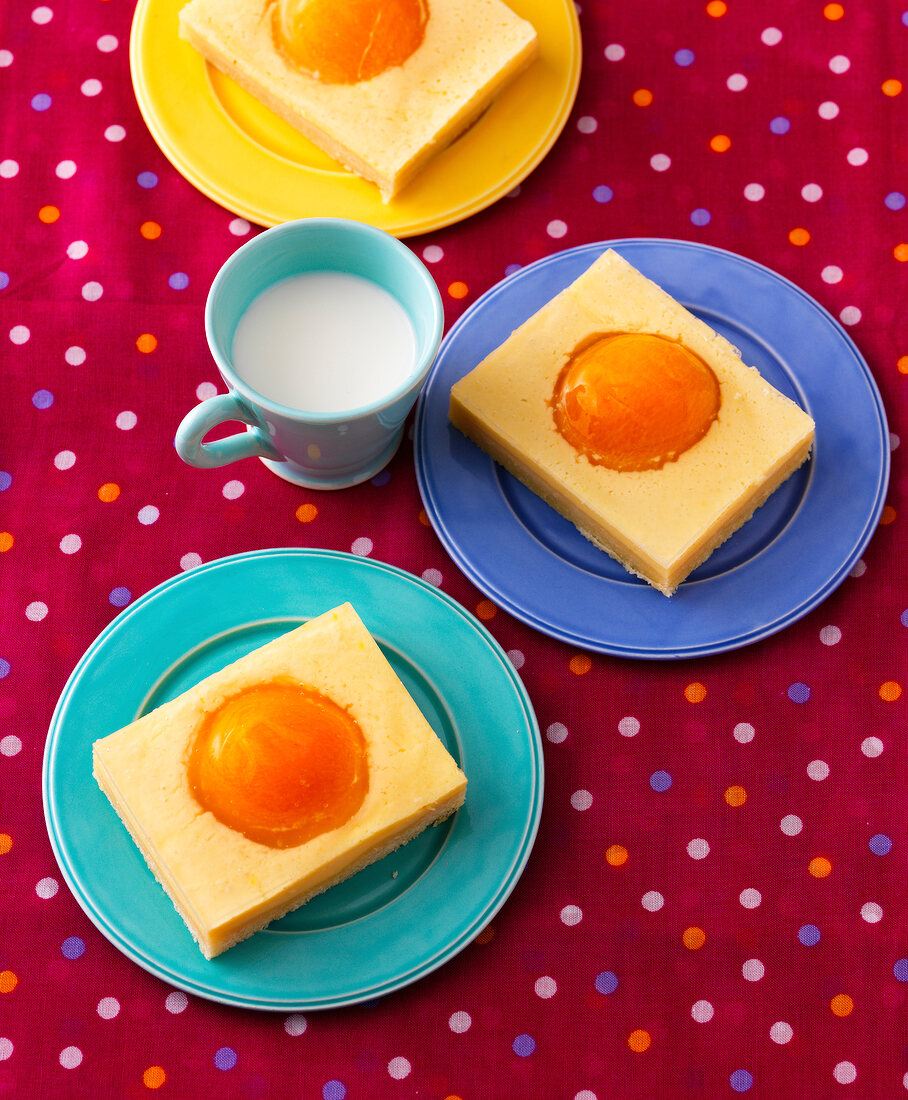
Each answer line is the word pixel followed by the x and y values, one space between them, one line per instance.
pixel 636 421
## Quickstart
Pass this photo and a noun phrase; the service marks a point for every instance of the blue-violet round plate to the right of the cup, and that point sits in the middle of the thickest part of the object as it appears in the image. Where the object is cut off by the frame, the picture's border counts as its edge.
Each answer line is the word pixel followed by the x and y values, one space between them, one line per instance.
pixel 797 548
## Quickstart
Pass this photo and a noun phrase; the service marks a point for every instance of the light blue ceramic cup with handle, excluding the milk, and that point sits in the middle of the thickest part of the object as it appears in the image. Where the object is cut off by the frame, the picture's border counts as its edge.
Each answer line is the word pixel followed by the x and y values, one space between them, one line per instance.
pixel 314 449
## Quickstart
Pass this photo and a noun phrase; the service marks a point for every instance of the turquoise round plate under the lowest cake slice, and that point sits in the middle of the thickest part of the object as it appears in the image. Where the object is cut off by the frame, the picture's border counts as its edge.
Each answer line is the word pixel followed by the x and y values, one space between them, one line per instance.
pixel 396 921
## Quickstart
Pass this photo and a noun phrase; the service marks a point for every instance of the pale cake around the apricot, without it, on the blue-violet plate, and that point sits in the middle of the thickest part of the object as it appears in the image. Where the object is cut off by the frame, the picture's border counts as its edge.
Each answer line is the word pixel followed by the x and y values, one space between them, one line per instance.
pixel 659 523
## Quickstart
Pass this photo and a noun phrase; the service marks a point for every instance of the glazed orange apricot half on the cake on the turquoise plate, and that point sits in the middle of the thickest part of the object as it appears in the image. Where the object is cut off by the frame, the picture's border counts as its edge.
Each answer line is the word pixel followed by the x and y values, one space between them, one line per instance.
pixel 281 764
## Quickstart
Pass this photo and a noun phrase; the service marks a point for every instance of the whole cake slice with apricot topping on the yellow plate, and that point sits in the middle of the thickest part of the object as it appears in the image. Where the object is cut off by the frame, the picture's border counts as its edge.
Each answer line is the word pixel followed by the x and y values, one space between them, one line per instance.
pixel 380 85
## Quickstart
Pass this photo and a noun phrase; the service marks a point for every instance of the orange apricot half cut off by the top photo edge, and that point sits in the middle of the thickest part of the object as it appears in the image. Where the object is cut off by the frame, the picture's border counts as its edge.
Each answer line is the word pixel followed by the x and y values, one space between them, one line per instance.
pixel 348 41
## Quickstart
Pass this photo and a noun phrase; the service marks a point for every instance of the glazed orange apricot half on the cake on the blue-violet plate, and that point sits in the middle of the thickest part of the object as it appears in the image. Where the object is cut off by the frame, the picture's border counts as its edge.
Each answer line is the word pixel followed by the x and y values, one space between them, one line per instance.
pixel 633 401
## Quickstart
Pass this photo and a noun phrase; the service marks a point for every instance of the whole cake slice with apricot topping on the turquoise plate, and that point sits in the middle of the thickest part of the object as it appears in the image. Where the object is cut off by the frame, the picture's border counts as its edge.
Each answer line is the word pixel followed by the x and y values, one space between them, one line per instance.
pixel 221 860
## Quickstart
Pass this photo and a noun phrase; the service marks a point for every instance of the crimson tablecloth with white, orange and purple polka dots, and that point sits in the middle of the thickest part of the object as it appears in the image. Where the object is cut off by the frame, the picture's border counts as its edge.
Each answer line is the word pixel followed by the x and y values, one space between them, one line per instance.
pixel 717 900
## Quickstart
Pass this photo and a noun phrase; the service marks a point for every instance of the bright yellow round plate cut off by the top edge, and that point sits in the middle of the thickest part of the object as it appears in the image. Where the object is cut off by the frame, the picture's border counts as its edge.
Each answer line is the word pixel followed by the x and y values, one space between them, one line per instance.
pixel 242 156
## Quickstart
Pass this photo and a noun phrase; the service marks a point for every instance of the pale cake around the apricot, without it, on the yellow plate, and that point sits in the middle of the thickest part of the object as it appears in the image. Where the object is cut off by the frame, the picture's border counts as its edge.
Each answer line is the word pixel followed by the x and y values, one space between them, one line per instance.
pixel 386 128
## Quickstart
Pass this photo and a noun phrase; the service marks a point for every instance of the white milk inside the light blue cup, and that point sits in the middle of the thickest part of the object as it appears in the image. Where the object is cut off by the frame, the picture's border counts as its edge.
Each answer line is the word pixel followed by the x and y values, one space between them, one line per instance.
pixel 325 343
